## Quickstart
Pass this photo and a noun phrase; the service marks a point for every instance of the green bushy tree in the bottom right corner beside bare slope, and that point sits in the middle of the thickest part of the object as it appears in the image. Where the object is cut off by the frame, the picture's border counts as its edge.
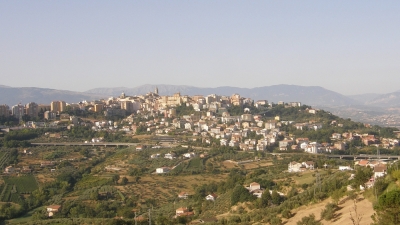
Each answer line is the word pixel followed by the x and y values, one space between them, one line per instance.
pixel 388 208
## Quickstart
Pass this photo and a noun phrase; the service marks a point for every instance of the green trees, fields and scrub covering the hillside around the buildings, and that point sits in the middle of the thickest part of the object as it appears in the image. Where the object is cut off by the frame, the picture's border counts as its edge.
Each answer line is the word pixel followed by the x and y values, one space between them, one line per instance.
pixel 98 182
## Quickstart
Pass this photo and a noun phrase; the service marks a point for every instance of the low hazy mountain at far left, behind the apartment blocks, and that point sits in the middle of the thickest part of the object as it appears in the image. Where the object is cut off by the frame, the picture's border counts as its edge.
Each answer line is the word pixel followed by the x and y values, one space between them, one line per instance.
pixel 14 95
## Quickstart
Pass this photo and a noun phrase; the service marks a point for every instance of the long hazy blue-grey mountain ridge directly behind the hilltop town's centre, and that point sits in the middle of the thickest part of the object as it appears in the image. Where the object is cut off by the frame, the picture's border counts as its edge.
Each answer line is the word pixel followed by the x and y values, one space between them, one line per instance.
pixel 310 95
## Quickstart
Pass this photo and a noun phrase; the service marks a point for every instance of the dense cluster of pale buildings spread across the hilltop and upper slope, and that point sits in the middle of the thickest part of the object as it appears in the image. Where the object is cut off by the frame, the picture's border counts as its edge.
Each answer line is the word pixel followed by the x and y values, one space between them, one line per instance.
pixel 159 115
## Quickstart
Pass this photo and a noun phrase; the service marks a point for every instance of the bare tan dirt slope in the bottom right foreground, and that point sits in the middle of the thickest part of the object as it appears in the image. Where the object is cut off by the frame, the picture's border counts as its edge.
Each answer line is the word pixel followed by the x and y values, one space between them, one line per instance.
pixel 364 207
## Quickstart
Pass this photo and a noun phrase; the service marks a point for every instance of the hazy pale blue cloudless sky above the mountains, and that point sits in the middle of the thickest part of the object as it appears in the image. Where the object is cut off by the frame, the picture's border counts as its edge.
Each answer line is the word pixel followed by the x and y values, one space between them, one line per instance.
pixel 350 47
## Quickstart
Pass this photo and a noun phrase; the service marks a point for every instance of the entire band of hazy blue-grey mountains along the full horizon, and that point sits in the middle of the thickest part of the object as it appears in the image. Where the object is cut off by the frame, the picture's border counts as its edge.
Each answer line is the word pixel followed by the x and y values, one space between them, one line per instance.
pixel 310 95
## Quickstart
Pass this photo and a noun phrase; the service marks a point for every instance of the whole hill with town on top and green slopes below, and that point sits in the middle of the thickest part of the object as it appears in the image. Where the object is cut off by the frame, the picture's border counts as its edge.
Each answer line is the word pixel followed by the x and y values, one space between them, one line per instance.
pixel 186 159
